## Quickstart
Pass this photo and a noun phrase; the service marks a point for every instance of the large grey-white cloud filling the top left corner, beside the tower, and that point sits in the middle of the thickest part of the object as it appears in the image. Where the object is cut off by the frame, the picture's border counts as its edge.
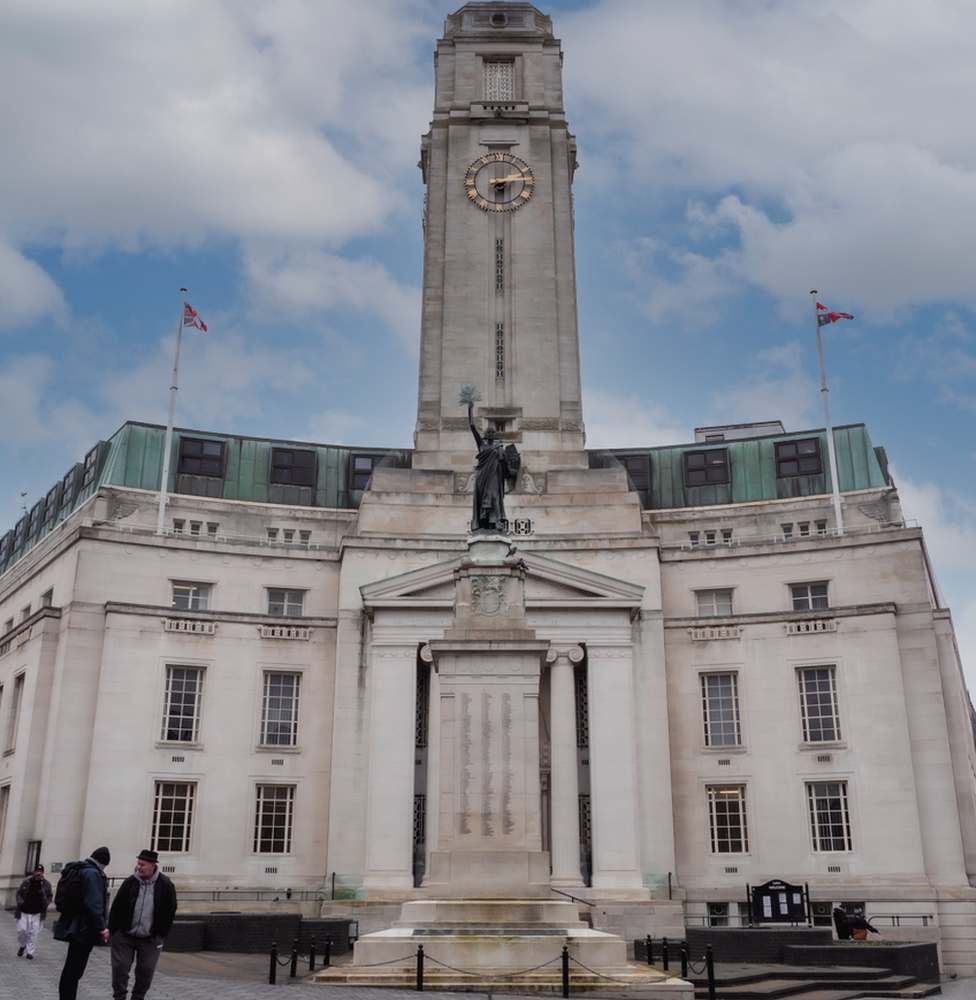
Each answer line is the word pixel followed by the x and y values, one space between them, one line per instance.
pixel 135 124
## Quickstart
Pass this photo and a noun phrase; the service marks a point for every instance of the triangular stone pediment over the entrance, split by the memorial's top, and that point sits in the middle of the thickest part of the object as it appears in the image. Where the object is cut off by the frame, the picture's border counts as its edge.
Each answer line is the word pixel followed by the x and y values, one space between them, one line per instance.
pixel 548 583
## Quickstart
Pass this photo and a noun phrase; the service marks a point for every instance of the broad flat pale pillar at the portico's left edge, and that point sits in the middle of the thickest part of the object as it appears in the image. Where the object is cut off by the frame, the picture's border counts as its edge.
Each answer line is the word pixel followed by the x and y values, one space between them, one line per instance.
pixel 389 799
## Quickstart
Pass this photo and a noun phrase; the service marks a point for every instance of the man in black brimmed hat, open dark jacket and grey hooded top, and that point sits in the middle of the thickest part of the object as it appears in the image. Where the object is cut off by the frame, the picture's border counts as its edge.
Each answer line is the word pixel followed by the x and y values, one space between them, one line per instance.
pixel 141 917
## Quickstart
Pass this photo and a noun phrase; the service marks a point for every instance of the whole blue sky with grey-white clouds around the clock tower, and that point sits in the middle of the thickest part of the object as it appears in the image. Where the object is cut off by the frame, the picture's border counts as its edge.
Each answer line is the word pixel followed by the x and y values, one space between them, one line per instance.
pixel 733 155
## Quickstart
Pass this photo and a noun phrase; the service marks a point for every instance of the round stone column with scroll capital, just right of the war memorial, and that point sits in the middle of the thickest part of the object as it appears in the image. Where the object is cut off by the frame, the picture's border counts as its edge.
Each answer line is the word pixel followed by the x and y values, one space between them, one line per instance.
pixel 564 831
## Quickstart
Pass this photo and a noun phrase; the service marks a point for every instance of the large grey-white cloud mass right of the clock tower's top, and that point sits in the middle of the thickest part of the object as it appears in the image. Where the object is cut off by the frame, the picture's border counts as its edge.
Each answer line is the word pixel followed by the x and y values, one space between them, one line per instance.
pixel 834 124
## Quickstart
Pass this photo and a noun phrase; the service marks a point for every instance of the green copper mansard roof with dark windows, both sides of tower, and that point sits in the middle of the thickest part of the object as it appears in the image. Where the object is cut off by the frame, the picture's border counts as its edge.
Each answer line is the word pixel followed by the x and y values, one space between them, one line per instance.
pixel 332 476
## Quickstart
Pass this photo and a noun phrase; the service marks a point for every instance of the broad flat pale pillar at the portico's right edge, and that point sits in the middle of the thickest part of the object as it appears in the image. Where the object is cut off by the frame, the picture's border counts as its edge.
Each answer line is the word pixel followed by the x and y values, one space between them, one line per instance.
pixel 613 771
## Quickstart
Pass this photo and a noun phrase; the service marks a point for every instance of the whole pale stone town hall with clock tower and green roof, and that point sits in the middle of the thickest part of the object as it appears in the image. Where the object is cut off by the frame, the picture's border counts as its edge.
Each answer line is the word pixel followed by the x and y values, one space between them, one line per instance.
pixel 681 675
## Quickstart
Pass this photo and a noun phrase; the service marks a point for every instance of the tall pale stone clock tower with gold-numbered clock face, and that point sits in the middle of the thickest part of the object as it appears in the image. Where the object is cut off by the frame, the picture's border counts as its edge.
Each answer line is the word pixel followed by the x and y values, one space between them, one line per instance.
pixel 499 305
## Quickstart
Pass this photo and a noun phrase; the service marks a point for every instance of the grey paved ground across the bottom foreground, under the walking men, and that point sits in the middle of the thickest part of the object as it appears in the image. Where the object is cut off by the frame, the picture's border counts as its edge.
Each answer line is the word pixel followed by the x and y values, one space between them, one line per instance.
pixel 214 976
